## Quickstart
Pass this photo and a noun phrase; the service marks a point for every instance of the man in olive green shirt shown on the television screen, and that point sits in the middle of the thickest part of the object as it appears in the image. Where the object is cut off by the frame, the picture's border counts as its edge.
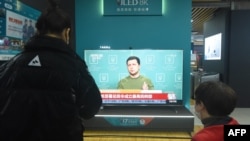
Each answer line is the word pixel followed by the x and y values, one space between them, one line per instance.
pixel 135 80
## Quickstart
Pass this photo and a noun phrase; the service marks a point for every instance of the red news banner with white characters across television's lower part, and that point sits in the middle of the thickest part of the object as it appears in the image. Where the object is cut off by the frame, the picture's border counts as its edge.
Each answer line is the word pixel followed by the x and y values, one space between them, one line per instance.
pixel 134 96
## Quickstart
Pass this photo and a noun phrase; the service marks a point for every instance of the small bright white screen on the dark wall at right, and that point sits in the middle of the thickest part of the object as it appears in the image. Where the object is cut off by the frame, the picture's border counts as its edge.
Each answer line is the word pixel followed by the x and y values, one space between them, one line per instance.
pixel 213 47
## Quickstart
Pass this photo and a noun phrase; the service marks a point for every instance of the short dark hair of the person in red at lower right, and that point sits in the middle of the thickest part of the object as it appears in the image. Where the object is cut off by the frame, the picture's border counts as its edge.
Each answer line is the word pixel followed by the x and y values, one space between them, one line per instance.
pixel 218 98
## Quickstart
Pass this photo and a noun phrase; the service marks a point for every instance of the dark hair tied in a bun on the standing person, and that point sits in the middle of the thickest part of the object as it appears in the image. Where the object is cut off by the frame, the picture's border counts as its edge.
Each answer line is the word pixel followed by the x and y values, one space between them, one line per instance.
pixel 53 20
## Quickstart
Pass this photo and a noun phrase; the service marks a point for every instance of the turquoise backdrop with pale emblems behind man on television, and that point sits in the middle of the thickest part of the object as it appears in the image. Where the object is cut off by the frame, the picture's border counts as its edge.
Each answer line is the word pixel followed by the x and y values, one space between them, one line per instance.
pixel 163 67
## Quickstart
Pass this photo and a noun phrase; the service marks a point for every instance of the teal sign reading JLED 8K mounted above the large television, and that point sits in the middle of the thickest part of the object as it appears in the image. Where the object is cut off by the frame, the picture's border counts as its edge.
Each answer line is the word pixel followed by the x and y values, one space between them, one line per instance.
pixel 132 7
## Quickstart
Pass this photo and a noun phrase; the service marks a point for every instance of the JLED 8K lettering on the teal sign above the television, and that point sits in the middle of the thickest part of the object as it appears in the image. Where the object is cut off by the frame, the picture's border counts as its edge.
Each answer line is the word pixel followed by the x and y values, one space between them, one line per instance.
pixel 132 2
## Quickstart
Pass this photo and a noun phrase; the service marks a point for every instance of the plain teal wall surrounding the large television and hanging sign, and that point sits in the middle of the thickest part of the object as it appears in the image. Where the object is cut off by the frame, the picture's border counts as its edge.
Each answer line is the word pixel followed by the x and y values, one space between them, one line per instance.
pixel 171 30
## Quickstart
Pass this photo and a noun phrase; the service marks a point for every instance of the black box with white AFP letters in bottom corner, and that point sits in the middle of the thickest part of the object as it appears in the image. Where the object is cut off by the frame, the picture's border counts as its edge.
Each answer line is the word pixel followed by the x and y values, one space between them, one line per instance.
pixel 236 132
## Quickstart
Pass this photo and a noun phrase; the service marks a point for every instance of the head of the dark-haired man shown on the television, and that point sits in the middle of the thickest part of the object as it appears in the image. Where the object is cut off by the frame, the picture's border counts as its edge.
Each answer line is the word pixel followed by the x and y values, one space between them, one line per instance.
pixel 133 65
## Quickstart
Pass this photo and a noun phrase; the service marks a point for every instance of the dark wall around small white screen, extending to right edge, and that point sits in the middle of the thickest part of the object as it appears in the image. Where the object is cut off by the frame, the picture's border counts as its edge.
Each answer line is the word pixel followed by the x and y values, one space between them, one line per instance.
pixel 234 65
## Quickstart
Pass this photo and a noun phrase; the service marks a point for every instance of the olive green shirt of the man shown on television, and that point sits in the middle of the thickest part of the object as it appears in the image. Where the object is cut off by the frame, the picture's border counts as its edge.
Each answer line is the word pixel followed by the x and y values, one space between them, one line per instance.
pixel 134 83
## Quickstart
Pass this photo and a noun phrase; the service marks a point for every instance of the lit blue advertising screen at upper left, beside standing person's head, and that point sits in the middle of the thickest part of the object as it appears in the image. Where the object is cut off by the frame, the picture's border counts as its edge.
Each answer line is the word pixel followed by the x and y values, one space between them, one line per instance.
pixel 13 14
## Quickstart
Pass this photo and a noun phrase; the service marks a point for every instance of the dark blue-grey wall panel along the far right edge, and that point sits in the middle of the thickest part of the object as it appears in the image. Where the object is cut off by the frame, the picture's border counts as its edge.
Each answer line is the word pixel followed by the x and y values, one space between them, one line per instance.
pixel 239 60
